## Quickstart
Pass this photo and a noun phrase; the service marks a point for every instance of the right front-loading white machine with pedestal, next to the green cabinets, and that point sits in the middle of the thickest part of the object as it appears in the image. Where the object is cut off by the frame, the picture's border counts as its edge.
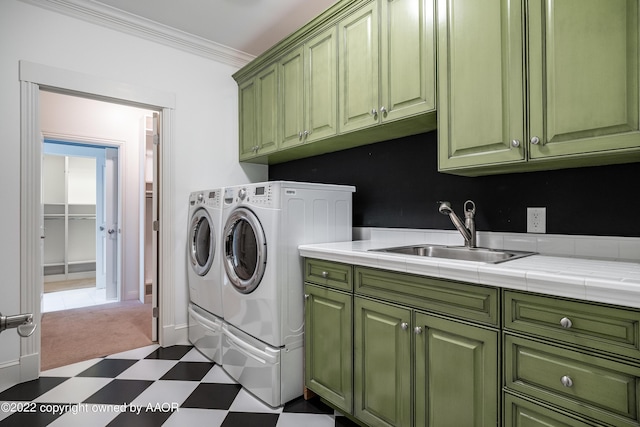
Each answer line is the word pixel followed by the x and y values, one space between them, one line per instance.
pixel 263 290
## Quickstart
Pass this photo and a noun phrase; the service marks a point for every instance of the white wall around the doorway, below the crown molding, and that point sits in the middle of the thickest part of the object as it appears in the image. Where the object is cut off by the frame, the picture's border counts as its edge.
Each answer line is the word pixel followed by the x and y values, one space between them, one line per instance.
pixel 205 132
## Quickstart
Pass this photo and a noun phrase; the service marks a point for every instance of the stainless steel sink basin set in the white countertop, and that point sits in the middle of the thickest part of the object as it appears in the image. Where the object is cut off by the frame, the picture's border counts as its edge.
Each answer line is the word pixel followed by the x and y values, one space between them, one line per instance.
pixel 492 256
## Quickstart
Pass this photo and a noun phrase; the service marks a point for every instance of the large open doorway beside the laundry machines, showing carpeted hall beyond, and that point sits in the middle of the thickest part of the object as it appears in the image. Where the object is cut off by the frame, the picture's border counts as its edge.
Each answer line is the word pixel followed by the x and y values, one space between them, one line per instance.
pixel 91 138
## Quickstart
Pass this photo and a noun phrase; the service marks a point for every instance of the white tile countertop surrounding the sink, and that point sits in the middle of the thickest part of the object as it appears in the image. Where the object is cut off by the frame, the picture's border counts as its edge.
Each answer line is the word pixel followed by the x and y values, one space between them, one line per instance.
pixel 578 276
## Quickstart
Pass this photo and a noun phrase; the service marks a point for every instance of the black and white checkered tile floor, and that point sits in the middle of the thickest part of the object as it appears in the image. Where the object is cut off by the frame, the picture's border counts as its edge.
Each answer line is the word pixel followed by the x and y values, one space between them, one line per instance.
pixel 150 386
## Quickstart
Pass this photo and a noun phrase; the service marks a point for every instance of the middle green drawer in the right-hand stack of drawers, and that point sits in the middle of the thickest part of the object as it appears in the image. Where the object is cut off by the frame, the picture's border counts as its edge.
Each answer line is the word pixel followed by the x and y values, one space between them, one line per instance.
pixel 596 387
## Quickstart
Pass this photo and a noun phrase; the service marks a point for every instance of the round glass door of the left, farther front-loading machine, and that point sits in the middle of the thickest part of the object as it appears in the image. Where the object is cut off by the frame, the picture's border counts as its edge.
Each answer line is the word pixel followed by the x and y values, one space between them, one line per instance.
pixel 201 242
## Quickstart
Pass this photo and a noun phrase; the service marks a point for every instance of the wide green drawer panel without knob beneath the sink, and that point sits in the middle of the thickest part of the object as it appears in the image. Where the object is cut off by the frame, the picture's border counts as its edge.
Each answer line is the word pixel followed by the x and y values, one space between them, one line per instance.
pixel 471 302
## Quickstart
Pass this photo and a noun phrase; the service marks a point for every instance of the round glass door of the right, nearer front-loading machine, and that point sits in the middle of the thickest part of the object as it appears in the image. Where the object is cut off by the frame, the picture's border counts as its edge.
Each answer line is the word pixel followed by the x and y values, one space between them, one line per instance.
pixel 245 250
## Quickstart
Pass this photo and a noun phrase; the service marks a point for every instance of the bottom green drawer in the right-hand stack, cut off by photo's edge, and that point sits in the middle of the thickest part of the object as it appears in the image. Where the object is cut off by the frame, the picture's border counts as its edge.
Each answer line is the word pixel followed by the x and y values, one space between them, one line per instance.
pixel 523 413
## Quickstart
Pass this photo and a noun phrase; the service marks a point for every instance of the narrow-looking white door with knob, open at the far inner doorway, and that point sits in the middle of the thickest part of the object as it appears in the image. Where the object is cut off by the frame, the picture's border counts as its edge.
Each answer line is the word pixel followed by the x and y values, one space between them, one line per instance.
pixel 112 221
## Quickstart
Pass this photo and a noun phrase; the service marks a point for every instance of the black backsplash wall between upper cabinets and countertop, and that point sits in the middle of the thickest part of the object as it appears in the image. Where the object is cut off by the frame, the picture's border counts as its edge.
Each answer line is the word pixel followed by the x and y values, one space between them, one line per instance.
pixel 398 185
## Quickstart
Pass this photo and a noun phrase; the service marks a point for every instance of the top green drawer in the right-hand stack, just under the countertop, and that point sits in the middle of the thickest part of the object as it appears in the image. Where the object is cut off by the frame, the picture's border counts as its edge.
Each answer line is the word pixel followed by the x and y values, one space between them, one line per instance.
pixel 605 328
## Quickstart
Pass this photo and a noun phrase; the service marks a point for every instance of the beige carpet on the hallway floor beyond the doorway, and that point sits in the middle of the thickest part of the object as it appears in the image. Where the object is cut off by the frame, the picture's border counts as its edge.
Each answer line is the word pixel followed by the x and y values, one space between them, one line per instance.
pixel 71 336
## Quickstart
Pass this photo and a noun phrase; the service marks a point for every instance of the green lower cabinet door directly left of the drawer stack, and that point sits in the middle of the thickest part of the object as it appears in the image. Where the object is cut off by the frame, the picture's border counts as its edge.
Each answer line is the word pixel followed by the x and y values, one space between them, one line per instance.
pixel 456 373
